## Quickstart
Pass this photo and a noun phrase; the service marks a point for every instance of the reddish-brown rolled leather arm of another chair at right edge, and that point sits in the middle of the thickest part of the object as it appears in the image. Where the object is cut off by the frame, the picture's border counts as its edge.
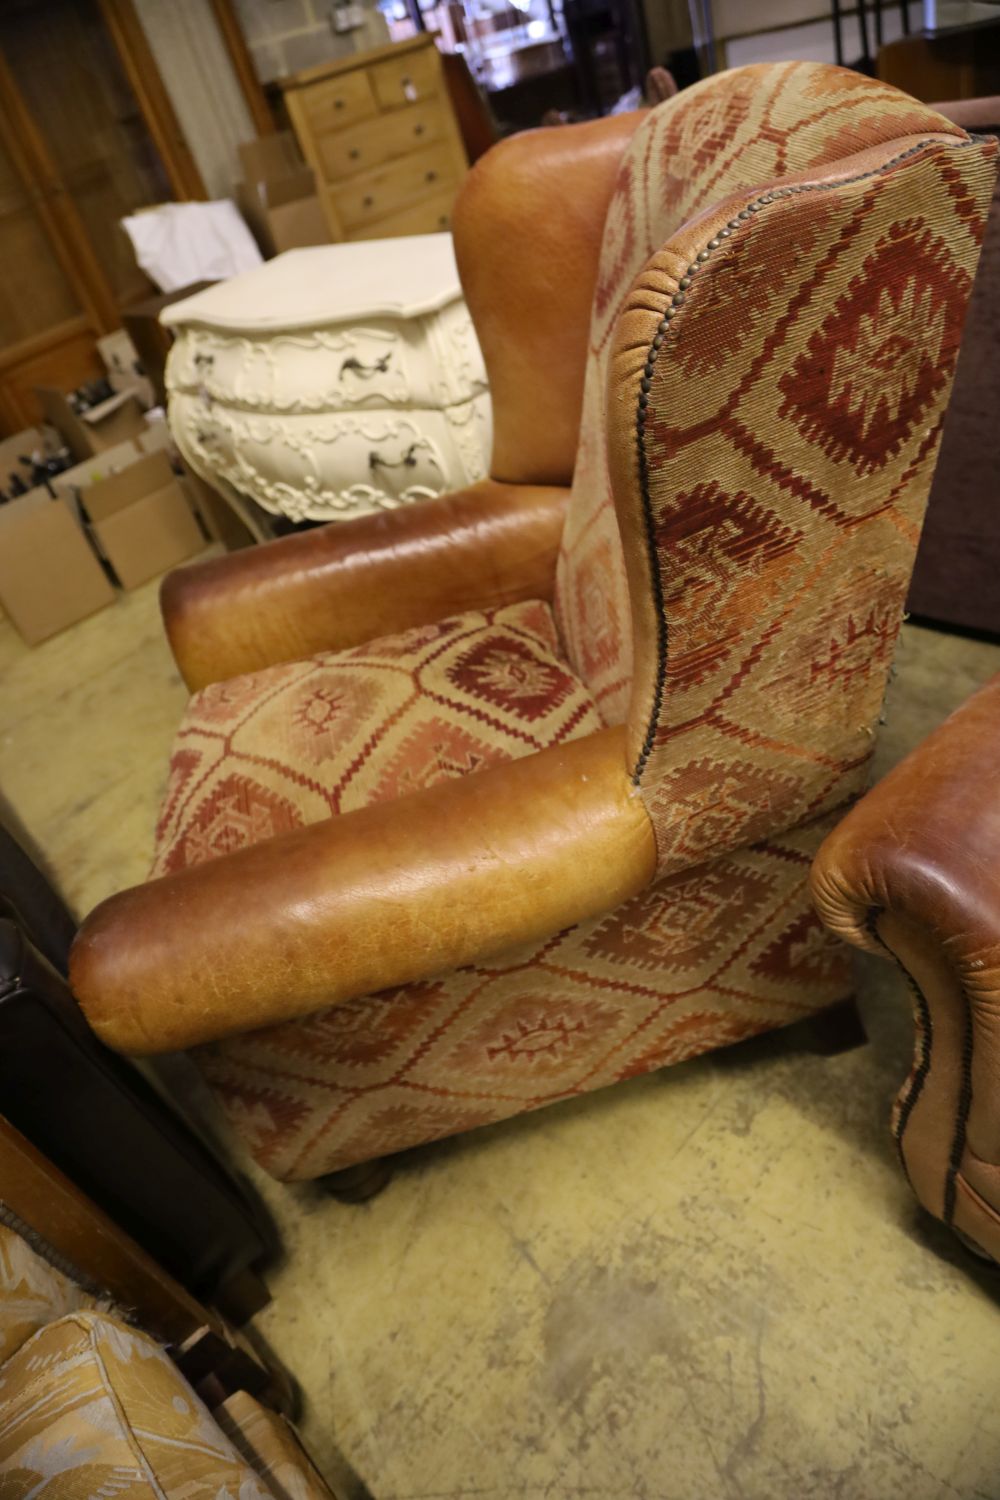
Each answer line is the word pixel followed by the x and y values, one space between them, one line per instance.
pixel 914 872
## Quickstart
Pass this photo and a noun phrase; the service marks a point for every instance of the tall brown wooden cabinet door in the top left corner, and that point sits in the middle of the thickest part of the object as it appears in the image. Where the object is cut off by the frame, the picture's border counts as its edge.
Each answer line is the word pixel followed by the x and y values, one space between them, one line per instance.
pixel 80 148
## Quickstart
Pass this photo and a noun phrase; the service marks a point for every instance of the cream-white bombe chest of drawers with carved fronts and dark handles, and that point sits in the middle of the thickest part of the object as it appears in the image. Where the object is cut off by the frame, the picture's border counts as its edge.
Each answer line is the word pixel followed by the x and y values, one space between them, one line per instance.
pixel 334 382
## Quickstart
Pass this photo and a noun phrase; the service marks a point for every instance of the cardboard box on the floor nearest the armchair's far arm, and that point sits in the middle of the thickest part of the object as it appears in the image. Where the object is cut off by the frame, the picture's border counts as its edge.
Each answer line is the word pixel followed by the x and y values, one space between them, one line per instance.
pixel 142 521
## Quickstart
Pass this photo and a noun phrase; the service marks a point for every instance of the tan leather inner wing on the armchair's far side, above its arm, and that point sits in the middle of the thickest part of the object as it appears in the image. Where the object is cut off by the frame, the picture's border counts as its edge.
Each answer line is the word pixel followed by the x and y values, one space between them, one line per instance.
pixel 528 229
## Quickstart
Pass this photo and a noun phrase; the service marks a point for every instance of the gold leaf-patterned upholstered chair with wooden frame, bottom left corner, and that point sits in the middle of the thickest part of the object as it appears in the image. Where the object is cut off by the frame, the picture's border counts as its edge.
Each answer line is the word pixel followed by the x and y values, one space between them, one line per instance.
pixel 95 1406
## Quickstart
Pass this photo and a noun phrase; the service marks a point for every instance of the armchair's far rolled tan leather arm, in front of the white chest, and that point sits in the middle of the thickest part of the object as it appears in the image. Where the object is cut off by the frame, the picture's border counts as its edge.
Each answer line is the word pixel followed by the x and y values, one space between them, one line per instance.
pixel 355 581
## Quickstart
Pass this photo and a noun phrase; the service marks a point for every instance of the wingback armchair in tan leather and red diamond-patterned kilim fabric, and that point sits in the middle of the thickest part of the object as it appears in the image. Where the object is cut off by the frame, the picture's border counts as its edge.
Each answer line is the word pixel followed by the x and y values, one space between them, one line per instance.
pixel 515 794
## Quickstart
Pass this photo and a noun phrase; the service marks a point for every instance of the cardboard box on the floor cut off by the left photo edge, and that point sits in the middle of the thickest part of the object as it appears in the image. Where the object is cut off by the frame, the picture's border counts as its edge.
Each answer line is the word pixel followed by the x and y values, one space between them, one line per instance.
pixel 50 577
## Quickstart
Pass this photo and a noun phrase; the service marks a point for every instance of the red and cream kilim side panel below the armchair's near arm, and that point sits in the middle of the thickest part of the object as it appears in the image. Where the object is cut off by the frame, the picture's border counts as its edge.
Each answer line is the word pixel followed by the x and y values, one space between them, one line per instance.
pixel 696 962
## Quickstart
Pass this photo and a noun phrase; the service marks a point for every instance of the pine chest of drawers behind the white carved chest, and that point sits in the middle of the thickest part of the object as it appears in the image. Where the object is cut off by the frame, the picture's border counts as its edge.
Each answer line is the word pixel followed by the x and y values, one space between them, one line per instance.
pixel 380 133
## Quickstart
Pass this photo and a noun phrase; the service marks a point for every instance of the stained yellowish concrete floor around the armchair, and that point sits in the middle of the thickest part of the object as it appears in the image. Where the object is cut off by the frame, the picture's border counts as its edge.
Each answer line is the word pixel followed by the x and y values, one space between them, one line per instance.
pixel 708 1285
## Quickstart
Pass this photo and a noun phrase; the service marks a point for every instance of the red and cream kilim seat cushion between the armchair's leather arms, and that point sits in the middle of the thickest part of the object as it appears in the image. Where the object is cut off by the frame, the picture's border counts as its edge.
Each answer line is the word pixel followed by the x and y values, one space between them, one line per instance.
pixel 275 751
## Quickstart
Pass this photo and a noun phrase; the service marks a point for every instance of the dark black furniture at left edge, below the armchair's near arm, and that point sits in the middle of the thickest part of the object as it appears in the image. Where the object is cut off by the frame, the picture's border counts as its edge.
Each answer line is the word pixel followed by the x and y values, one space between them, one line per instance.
pixel 103 1123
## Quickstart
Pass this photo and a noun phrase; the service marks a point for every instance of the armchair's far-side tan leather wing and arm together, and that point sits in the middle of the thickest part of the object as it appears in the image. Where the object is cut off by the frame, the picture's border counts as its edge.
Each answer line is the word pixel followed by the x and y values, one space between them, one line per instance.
pixel 528 235
